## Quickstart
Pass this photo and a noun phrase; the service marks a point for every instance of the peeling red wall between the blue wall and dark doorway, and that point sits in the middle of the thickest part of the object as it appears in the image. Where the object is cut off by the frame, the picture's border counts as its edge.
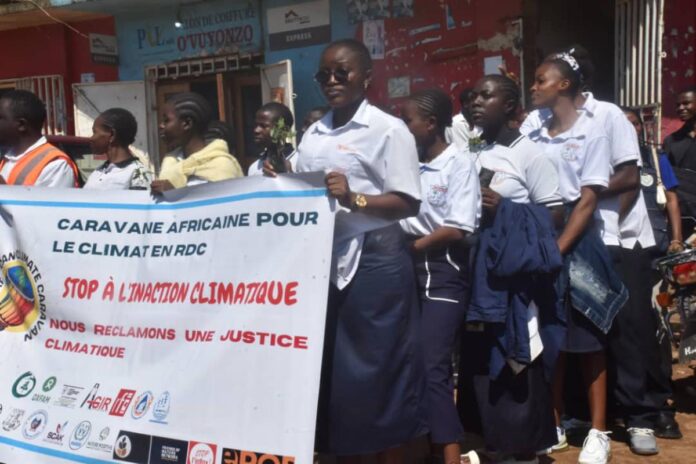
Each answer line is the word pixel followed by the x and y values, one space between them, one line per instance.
pixel 454 58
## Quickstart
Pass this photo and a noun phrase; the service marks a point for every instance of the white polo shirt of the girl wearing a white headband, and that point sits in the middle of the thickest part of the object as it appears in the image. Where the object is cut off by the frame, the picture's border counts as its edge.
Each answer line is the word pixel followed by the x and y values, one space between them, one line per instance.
pixel 581 156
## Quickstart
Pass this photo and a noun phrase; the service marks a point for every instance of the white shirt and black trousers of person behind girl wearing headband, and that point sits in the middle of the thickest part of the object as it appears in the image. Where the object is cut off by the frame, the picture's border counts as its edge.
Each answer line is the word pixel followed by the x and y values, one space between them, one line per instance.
pixel 637 382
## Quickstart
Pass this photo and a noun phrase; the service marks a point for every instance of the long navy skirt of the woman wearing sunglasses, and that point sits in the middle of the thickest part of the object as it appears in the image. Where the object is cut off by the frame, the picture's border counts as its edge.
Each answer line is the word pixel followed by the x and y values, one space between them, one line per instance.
pixel 371 396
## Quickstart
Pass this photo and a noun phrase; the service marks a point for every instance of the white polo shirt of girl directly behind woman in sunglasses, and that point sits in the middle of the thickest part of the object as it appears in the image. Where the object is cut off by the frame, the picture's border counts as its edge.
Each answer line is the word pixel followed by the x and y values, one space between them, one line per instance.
pixel 451 195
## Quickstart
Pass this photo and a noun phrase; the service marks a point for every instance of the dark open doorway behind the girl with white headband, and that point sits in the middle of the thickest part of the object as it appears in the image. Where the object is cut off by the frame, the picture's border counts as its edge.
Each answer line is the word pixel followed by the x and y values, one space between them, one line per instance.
pixel 550 26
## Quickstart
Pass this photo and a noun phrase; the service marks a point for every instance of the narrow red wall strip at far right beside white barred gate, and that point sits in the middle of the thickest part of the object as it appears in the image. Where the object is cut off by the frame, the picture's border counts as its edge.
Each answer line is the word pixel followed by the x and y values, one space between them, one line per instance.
pixel 679 64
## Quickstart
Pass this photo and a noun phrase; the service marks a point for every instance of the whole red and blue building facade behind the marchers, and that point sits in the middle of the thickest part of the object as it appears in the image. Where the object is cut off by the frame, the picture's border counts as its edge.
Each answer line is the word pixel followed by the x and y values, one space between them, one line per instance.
pixel 240 54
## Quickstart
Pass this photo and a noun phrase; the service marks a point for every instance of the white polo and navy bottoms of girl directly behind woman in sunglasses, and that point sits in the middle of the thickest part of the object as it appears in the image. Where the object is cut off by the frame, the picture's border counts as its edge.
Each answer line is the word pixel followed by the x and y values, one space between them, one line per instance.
pixel 451 198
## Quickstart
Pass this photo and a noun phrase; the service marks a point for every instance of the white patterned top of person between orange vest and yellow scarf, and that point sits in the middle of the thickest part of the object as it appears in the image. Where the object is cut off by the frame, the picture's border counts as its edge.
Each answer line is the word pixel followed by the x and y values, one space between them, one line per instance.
pixel 130 174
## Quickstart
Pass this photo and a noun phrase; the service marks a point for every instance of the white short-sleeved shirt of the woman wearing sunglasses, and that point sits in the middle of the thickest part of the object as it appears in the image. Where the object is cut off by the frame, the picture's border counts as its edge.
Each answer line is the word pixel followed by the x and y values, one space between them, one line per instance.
pixel 378 155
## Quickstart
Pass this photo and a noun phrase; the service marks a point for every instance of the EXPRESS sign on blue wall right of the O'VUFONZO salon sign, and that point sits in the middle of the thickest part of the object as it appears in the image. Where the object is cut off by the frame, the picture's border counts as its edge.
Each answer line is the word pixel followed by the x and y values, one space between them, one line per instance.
pixel 299 25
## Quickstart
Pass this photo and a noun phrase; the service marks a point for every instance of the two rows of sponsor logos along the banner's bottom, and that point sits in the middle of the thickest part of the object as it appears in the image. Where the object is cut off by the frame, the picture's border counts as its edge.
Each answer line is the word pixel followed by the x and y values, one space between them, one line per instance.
pixel 124 446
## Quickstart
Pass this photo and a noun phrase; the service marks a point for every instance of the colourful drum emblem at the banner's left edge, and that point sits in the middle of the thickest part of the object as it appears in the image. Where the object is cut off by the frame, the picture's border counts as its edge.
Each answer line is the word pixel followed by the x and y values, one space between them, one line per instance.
pixel 19 302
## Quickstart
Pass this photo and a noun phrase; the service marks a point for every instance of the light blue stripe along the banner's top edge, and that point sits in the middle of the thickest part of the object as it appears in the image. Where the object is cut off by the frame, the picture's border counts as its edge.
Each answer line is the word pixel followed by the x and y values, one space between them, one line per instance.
pixel 167 206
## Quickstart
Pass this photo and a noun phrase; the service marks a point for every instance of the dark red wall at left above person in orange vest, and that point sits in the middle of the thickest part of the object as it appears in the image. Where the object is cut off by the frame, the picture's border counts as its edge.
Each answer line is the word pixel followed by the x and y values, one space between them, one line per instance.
pixel 55 49
